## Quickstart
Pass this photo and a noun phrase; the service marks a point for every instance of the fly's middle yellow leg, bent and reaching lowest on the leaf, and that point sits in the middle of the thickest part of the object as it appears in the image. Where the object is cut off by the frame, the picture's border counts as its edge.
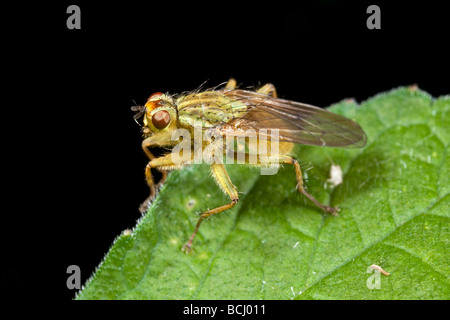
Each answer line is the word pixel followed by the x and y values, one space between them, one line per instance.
pixel 223 180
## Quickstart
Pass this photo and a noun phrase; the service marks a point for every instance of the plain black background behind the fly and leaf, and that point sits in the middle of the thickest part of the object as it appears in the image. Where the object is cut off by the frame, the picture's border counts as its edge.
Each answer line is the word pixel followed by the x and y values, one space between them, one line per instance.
pixel 84 171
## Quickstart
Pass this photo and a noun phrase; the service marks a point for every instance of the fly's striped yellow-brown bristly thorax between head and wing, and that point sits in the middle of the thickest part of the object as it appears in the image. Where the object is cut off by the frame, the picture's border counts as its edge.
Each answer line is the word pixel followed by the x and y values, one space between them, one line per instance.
pixel 209 109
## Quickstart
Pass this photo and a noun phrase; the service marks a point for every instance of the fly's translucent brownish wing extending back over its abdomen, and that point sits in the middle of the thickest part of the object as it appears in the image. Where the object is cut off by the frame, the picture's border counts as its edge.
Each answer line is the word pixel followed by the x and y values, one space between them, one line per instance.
pixel 297 122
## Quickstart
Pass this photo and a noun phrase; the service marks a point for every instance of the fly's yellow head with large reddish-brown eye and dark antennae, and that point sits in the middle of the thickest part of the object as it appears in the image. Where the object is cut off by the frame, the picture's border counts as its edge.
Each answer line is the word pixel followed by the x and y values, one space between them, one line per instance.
pixel 159 117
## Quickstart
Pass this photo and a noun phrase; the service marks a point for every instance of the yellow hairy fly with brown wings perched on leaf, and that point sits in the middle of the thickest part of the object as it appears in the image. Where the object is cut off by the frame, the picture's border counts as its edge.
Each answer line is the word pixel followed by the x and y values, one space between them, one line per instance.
pixel 232 112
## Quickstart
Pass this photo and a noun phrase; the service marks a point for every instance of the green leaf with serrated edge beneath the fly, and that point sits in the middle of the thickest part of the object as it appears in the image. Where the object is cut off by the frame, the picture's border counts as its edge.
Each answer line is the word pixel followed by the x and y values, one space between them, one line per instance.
pixel 275 244
